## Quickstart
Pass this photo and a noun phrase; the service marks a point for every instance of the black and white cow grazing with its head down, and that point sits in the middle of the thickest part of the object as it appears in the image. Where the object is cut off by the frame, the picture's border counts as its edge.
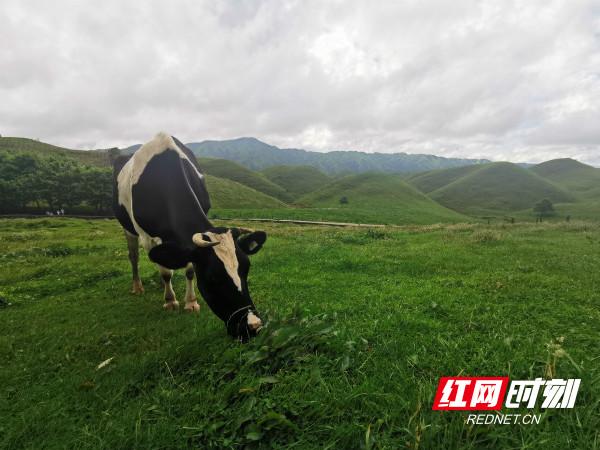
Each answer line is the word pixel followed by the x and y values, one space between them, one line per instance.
pixel 161 200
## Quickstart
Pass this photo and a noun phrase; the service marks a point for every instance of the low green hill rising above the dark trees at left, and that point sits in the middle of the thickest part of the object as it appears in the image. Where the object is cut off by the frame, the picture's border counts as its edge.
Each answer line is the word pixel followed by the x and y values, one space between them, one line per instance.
pixel 24 145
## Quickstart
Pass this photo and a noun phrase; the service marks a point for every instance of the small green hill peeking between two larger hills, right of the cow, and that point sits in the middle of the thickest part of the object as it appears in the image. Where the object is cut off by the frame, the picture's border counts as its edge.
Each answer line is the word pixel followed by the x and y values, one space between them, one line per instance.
pixel 296 180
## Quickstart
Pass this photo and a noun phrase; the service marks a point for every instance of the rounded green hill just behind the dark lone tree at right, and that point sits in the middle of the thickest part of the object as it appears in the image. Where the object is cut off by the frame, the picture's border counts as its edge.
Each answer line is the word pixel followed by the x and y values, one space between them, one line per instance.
pixel 496 188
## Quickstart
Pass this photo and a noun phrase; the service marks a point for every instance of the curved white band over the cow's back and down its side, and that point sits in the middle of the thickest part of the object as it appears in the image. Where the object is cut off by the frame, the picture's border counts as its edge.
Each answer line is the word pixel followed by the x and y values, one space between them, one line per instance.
pixel 130 175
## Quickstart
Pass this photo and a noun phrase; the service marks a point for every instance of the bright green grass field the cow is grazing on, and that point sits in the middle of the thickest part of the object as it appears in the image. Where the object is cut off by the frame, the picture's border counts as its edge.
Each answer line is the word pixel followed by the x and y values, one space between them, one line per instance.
pixel 361 325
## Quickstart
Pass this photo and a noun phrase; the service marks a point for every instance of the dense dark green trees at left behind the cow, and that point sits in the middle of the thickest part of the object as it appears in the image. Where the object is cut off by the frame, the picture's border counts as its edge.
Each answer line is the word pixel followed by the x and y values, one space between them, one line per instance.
pixel 34 184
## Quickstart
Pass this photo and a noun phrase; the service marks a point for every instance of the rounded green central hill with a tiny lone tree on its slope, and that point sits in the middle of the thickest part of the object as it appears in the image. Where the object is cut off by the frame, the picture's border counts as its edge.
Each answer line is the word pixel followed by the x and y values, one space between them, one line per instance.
pixel 394 200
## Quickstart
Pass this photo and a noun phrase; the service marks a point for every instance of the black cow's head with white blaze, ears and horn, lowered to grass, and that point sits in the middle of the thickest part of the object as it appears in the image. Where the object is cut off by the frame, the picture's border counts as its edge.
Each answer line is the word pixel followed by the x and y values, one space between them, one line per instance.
pixel 221 262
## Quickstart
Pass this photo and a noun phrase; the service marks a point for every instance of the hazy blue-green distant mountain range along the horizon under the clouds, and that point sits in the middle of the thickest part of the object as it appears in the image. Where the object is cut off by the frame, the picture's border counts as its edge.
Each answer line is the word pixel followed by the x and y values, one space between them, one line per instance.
pixel 257 155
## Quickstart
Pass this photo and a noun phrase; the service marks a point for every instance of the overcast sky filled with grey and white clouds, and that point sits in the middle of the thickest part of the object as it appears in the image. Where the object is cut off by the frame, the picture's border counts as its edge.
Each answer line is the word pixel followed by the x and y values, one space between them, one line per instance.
pixel 504 80
